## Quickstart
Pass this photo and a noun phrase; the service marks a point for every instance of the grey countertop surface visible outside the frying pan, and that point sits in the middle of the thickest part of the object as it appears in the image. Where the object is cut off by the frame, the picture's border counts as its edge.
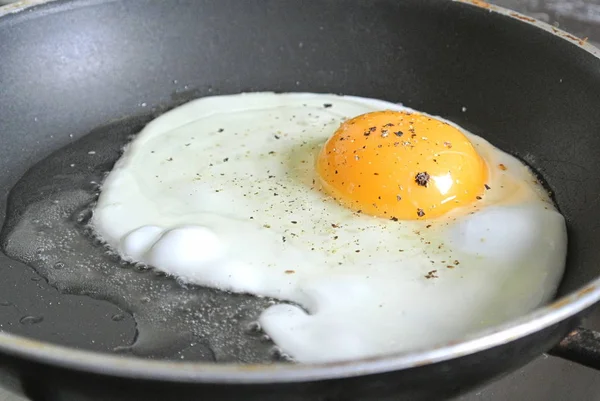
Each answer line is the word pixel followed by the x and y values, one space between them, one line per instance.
pixel 547 378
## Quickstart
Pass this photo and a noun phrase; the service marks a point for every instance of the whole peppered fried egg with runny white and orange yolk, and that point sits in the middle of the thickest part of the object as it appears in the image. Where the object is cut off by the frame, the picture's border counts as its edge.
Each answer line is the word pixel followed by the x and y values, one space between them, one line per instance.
pixel 382 229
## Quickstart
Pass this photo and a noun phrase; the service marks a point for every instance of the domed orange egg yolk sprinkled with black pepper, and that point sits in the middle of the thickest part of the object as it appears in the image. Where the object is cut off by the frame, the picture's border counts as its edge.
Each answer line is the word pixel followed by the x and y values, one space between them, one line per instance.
pixel 401 165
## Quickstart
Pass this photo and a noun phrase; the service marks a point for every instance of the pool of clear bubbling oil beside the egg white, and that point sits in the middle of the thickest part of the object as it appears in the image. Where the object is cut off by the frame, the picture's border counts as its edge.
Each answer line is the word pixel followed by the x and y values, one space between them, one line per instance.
pixel 46 228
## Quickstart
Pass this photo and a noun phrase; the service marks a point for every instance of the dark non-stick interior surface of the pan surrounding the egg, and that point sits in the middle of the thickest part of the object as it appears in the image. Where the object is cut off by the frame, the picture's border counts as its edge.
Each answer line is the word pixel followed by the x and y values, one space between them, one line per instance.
pixel 528 92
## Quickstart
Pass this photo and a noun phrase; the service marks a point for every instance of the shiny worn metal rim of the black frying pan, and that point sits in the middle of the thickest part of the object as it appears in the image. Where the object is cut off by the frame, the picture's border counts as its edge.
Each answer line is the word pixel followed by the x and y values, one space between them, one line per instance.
pixel 194 372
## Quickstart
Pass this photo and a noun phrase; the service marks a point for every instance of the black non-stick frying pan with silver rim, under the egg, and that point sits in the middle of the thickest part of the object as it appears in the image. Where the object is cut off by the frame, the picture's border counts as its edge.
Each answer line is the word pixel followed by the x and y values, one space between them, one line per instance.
pixel 87 74
